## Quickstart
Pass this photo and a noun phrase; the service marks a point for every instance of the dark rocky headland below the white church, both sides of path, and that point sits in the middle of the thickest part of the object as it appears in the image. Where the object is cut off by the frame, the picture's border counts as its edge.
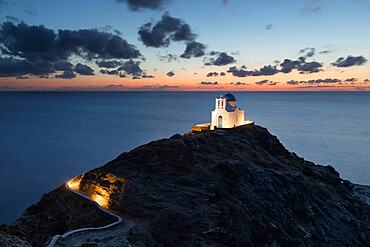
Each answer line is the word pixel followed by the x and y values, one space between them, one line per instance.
pixel 232 187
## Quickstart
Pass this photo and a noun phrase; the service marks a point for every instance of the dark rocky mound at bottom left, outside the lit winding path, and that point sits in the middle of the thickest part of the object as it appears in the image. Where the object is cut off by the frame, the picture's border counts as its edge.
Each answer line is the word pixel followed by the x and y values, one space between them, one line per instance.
pixel 57 212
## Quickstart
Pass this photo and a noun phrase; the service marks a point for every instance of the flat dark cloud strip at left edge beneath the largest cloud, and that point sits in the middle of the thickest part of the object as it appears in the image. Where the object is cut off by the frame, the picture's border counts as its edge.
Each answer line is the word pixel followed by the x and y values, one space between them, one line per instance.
pixel 10 67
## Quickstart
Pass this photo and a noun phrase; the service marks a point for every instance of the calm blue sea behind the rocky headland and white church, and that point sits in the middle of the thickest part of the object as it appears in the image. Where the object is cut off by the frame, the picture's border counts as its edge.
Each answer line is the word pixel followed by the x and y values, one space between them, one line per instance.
pixel 46 138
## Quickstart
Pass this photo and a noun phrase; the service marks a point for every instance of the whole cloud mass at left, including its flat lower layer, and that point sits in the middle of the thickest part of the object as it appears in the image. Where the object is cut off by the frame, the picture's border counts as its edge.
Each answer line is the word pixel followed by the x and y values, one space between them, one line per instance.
pixel 37 50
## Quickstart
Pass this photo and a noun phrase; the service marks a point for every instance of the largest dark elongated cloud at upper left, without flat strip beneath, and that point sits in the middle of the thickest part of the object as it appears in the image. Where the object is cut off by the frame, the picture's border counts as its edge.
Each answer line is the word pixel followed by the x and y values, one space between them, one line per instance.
pixel 40 43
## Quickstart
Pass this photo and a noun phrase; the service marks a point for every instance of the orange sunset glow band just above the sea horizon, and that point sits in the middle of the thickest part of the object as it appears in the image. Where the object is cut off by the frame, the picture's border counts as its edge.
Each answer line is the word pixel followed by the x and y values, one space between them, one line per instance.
pixel 186 81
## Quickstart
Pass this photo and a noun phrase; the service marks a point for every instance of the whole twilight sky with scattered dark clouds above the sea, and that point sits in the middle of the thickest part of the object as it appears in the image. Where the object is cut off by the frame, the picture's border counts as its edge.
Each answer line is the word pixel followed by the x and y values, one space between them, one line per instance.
pixel 201 45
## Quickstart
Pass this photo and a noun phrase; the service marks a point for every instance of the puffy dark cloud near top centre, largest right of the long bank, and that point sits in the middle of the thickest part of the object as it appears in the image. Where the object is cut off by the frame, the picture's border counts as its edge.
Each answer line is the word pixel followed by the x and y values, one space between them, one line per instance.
pixel 165 30
